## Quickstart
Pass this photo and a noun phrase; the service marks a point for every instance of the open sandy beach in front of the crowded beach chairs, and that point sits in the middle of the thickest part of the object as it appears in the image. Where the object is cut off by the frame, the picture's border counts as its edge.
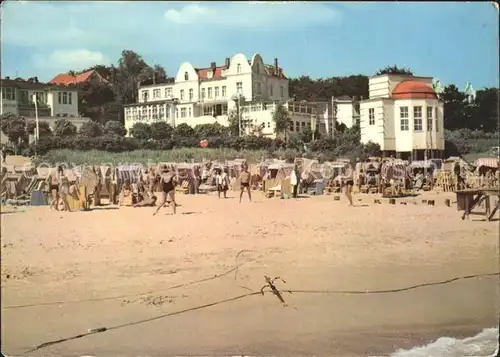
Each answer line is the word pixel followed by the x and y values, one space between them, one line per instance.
pixel 115 267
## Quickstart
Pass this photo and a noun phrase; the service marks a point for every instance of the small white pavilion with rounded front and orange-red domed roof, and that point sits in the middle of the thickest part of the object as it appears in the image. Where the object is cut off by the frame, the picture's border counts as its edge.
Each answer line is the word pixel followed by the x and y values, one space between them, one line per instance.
pixel 404 116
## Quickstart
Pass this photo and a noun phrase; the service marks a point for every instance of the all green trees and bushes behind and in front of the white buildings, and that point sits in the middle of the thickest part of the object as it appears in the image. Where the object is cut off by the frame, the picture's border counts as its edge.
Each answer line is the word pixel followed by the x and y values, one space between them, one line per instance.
pixel 466 122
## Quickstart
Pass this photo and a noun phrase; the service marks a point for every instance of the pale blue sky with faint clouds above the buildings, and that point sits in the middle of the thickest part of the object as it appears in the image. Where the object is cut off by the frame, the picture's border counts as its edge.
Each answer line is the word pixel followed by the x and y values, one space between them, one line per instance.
pixel 453 42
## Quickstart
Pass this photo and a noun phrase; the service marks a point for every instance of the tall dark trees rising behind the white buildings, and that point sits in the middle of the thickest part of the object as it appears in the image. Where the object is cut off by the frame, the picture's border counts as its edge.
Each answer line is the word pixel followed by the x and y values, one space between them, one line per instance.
pixel 104 102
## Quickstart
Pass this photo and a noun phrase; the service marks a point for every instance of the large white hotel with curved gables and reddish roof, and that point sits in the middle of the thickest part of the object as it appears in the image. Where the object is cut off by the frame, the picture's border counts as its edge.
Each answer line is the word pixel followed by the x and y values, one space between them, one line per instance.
pixel 205 95
